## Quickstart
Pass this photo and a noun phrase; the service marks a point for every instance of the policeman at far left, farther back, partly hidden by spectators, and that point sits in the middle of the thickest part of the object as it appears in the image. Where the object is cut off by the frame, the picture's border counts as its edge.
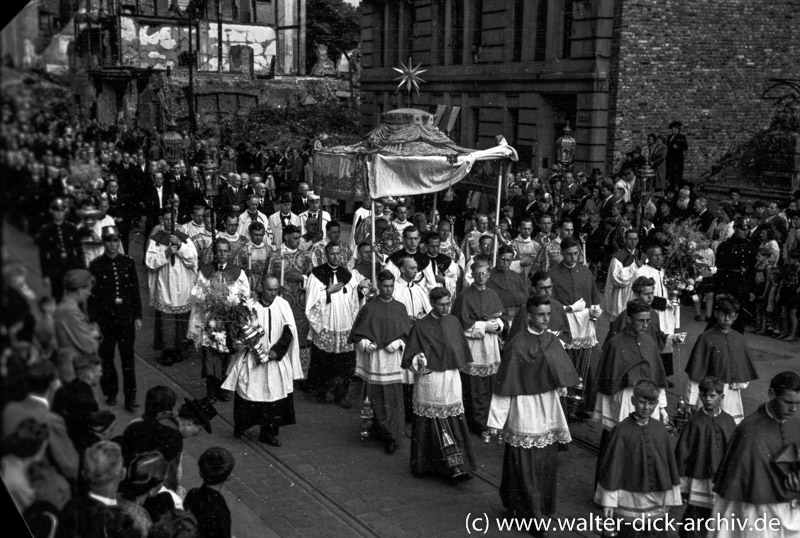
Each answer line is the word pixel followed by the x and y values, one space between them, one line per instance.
pixel 59 248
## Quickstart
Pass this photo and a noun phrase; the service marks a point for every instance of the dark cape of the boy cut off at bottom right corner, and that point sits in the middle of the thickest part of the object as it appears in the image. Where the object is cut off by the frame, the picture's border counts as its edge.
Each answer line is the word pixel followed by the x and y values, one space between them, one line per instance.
pixel 746 474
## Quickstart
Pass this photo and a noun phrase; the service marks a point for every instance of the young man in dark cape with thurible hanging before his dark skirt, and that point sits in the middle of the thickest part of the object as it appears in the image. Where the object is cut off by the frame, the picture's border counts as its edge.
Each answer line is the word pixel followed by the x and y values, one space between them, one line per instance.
pixel 435 351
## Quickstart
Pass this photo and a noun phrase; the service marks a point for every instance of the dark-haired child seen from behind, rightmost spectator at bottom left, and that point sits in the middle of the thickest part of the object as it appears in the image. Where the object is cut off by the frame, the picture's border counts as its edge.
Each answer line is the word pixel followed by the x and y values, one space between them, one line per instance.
pixel 206 503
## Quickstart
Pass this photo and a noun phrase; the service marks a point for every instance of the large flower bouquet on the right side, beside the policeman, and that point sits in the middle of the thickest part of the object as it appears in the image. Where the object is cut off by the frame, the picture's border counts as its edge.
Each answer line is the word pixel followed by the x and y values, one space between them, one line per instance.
pixel 682 268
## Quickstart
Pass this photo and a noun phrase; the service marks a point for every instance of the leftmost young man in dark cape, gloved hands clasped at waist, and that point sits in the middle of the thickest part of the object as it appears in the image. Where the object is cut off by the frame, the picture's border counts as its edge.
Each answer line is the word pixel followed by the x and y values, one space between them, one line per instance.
pixel 379 330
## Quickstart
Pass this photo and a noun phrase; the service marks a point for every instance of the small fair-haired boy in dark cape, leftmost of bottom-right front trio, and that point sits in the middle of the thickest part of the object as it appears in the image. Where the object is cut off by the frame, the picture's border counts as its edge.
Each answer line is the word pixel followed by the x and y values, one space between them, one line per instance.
pixel 638 474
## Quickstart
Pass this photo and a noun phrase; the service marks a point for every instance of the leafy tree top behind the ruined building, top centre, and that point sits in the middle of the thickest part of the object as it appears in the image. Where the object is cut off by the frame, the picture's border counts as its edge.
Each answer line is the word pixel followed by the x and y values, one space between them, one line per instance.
pixel 334 23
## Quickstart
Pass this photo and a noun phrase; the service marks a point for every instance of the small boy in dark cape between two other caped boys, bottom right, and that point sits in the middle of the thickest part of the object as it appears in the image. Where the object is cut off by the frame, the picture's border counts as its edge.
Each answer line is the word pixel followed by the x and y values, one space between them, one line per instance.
pixel 699 452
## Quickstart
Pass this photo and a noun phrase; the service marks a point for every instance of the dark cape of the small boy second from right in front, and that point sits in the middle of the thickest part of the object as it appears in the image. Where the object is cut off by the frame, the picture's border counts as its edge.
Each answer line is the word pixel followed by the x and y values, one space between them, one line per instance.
pixel 702 444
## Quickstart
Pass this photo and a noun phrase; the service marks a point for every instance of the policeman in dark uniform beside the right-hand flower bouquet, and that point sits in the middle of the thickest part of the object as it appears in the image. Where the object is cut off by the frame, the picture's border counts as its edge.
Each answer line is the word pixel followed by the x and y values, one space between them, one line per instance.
pixel 734 267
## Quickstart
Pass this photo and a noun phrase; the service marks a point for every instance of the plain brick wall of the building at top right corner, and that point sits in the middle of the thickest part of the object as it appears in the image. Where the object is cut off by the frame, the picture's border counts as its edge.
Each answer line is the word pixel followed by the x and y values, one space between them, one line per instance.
pixel 702 62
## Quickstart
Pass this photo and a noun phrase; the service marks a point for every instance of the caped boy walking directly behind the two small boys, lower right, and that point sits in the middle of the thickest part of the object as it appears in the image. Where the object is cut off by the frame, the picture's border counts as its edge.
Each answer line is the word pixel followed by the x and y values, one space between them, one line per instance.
pixel 723 353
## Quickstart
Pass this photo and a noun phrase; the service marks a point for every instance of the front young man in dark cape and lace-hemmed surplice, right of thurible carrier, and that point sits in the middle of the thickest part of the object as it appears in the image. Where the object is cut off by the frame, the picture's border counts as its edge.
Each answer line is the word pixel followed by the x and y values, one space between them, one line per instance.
pixel 535 370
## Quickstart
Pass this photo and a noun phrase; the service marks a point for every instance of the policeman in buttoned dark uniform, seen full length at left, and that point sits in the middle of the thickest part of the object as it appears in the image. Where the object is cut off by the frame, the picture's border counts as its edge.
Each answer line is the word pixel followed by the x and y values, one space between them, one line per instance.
pixel 116 306
